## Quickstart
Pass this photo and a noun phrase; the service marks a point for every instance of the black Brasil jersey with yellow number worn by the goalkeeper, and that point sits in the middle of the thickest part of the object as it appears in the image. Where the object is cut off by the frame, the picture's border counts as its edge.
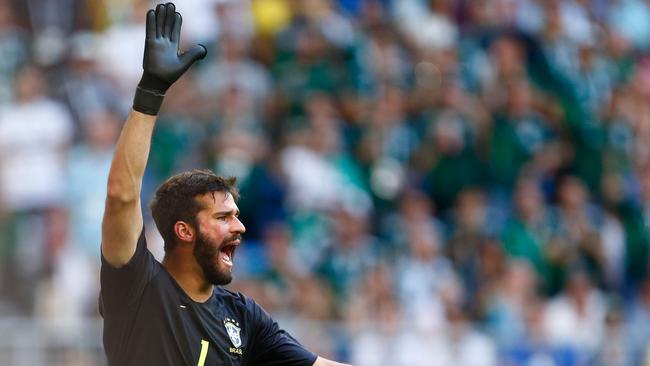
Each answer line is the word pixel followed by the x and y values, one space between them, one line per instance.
pixel 149 320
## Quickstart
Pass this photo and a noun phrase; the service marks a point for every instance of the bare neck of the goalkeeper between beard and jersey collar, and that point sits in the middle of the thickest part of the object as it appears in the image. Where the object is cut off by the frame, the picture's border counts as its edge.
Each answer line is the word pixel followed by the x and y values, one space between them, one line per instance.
pixel 189 276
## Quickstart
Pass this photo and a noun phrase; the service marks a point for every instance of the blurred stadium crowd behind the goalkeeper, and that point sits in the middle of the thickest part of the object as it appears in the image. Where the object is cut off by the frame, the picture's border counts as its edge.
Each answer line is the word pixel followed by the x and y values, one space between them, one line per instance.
pixel 424 182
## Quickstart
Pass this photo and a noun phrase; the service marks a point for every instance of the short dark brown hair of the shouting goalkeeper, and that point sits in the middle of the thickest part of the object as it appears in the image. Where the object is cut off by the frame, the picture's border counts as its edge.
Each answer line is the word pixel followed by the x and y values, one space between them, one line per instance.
pixel 176 199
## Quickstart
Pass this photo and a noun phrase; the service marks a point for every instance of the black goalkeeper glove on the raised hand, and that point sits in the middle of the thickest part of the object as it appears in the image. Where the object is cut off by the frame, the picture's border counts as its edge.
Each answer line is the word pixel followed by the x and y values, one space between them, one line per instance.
pixel 162 63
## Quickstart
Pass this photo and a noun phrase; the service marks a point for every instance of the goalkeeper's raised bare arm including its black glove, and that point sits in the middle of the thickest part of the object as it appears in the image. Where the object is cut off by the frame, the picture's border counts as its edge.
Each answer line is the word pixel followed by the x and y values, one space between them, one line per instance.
pixel 162 65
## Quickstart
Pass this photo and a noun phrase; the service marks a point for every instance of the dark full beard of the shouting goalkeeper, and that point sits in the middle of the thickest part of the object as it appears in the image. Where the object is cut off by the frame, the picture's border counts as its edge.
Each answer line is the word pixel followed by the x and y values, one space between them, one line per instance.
pixel 206 253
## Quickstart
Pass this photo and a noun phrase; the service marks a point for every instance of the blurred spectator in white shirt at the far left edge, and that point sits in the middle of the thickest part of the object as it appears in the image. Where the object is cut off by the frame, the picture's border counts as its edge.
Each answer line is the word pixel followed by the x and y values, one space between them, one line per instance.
pixel 34 135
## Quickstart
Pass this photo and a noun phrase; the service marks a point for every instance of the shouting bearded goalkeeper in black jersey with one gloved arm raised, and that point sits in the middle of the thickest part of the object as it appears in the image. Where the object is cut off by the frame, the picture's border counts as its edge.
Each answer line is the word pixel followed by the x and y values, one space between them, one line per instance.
pixel 176 312
